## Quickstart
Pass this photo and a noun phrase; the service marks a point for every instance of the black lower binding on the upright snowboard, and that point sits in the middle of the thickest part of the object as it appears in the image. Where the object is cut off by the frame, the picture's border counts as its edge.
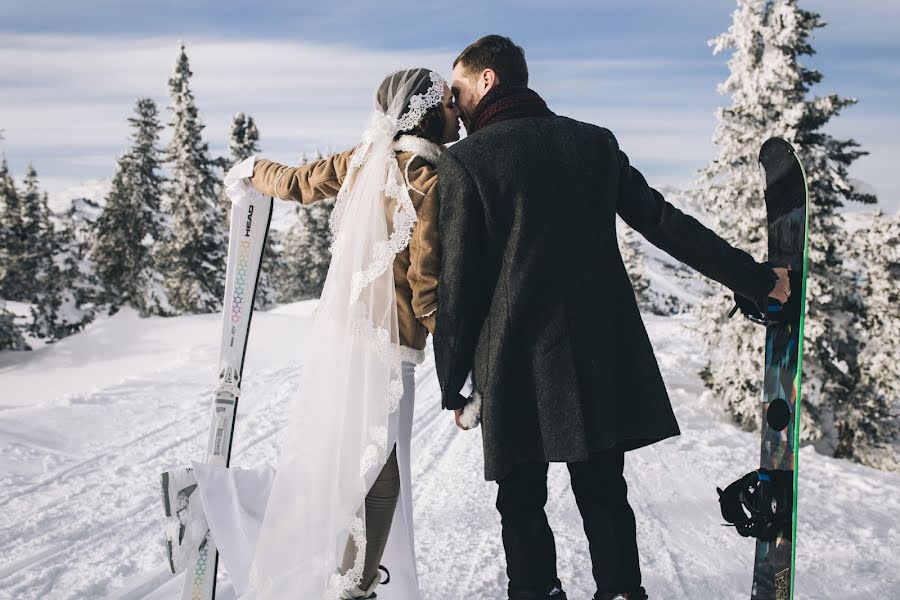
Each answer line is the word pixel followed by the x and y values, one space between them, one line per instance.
pixel 768 497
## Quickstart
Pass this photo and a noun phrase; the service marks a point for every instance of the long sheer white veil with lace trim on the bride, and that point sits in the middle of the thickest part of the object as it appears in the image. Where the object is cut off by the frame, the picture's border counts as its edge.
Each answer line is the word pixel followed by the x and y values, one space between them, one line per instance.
pixel 336 439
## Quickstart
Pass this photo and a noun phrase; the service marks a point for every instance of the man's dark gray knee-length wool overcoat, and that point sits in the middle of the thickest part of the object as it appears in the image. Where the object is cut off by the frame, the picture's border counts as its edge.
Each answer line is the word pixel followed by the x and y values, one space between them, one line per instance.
pixel 534 298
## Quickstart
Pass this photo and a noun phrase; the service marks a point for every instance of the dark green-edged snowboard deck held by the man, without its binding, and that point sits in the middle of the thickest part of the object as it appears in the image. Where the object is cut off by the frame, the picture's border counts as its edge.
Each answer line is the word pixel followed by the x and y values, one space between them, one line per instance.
pixel 787 216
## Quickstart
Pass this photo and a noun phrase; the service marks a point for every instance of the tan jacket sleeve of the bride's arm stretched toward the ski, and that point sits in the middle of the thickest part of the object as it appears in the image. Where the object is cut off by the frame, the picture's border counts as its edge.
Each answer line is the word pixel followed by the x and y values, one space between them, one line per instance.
pixel 310 183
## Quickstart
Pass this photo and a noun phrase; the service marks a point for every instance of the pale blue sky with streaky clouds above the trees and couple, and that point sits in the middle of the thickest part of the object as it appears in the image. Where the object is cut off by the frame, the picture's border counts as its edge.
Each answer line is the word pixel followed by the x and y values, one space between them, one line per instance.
pixel 70 72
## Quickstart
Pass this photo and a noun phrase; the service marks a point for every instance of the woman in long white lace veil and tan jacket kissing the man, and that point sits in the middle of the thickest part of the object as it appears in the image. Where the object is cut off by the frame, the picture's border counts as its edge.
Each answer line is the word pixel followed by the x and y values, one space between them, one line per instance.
pixel 340 501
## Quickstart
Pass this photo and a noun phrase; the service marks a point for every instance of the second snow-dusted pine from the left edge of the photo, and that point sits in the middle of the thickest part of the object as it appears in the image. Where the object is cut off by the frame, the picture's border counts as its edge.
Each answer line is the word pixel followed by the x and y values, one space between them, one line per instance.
pixel 58 305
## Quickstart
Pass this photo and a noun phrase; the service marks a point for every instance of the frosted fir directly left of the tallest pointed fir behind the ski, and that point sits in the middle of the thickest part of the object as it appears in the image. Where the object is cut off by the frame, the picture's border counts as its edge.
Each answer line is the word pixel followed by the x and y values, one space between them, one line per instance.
pixel 131 228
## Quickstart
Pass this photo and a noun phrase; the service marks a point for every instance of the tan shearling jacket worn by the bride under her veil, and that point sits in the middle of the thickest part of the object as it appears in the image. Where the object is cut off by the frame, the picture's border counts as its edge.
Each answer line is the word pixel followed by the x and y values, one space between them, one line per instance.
pixel 416 268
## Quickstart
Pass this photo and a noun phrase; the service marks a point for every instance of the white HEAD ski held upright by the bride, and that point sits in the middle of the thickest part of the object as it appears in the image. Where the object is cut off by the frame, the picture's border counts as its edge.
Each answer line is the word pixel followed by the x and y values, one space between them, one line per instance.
pixel 246 244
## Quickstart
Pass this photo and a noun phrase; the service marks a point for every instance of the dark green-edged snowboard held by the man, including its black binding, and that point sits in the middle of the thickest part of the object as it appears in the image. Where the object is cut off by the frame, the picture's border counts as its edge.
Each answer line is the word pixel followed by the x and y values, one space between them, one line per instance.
pixel 769 494
